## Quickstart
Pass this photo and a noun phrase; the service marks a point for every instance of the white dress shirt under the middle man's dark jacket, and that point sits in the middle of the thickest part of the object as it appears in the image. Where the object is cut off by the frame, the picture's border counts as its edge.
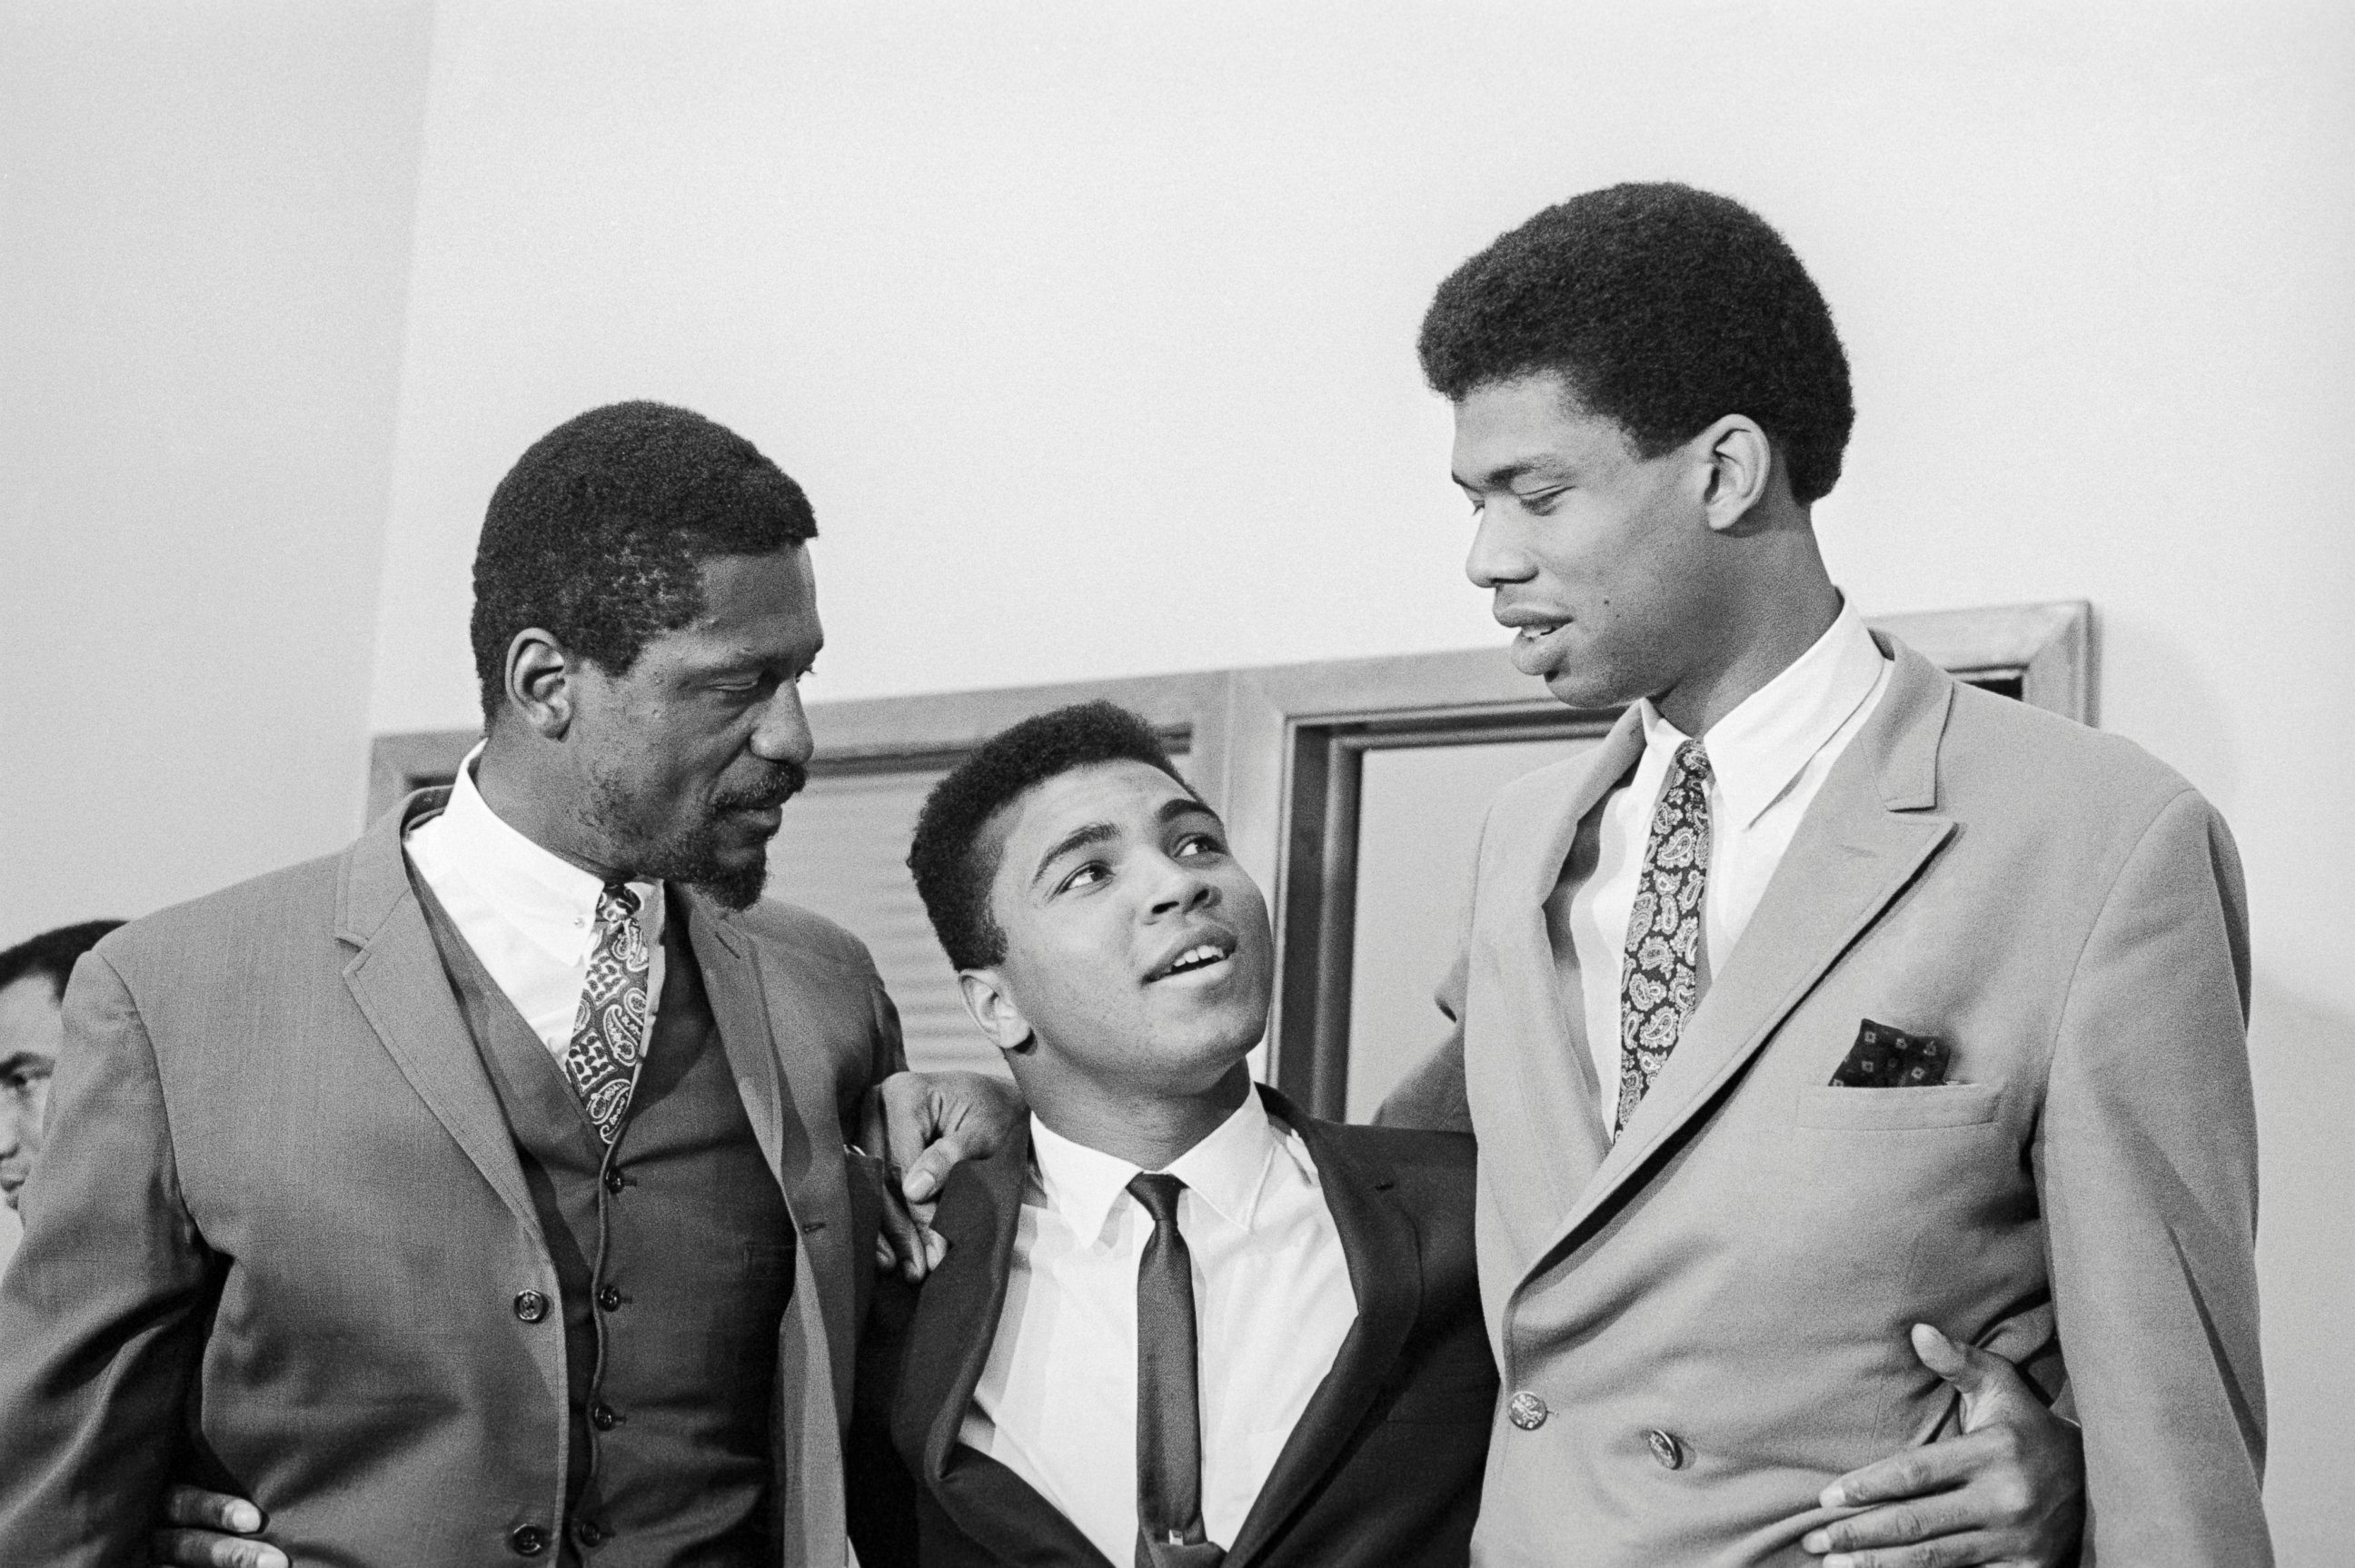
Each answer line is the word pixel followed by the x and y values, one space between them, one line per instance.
pixel 1273 1303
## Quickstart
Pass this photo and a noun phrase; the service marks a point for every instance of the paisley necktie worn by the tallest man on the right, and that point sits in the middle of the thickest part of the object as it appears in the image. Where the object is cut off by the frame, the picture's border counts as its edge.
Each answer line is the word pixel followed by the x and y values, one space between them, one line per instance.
pixel 1661 974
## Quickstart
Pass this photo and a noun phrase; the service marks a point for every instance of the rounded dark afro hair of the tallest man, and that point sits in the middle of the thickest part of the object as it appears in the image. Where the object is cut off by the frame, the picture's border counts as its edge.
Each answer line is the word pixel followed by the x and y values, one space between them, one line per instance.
pixel 1664 310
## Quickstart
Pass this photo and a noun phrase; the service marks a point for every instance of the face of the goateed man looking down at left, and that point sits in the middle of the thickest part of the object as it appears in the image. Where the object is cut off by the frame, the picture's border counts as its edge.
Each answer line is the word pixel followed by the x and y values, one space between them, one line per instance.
pixel 696 750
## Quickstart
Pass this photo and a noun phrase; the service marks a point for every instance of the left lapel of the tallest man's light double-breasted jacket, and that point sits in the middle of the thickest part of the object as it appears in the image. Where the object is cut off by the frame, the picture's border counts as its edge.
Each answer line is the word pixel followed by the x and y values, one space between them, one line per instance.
pixel 1555 1075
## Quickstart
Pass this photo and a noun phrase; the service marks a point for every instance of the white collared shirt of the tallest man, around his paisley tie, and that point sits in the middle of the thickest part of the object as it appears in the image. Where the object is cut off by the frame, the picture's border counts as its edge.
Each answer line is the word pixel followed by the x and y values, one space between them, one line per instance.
pixel 1767 762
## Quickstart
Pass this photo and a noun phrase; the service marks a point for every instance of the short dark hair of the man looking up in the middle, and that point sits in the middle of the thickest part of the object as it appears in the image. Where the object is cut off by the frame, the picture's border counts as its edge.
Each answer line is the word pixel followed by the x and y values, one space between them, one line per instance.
pixel 955 856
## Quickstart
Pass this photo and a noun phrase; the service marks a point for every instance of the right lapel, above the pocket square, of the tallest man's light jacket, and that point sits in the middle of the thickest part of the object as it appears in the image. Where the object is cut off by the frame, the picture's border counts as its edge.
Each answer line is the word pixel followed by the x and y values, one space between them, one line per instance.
pixel 1864 842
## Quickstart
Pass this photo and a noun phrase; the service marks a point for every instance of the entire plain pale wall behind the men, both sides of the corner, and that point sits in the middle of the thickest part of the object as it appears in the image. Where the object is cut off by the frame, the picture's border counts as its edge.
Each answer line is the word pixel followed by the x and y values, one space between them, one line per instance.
pixel 1092 333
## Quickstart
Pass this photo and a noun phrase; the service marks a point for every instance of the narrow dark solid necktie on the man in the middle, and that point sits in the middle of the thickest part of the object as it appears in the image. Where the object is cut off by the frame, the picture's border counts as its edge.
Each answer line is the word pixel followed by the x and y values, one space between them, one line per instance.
pixel 1169 1395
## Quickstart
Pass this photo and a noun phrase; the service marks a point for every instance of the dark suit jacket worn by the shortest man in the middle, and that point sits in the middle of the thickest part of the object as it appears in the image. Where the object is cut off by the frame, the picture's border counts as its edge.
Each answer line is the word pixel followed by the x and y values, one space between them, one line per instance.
pixel 1386 1463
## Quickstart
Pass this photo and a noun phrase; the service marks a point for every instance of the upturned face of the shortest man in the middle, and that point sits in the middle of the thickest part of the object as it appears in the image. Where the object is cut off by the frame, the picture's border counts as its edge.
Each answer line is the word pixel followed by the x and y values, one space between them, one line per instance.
pixel 1139 952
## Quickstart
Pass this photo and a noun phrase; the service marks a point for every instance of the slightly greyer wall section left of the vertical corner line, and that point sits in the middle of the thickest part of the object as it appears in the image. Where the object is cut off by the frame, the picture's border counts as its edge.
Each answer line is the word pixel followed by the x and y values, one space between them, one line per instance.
pixel 204 253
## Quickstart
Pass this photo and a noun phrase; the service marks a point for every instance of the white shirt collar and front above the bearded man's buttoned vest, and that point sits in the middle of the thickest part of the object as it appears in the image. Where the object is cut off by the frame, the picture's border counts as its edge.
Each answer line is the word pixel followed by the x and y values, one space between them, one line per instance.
pixel 529 915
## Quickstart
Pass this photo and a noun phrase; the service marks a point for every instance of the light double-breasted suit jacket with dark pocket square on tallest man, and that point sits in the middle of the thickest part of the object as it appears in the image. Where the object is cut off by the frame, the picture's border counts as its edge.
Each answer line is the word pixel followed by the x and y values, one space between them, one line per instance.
pixel 1737 1273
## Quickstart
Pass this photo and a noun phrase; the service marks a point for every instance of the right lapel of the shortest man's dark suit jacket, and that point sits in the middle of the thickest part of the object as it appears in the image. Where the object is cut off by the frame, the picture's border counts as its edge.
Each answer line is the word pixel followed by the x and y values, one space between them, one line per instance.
pixel 1386 1273
